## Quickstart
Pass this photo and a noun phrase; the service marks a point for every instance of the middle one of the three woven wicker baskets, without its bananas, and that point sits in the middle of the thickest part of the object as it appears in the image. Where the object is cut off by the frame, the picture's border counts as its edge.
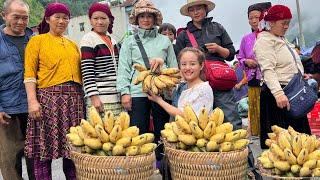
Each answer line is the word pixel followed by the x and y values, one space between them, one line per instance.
pixel 207 165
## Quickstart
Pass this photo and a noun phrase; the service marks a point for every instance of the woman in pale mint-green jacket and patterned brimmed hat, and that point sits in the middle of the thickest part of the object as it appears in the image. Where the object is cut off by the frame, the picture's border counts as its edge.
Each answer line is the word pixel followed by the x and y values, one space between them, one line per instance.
pixel 160 53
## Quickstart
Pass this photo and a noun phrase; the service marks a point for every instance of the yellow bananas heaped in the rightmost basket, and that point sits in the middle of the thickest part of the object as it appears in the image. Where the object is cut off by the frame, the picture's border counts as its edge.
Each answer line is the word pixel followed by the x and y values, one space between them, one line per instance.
pixel 291 153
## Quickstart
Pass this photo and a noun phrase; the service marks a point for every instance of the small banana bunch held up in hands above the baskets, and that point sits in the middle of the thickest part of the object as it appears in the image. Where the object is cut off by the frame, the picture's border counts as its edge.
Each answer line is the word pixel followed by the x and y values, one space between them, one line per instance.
pixel 156 82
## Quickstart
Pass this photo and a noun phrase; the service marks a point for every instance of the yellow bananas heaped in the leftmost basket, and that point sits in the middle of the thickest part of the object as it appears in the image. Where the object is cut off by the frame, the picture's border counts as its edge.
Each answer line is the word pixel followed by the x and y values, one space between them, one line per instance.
pixel 110 136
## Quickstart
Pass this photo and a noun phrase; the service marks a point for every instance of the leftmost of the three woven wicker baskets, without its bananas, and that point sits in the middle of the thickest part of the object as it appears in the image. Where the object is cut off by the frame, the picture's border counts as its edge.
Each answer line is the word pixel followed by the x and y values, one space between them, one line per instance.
pixel 89 167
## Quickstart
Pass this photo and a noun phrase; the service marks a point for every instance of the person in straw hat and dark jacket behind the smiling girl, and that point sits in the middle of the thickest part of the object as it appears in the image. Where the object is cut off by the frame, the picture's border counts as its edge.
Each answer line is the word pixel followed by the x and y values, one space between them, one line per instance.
pixel 217 45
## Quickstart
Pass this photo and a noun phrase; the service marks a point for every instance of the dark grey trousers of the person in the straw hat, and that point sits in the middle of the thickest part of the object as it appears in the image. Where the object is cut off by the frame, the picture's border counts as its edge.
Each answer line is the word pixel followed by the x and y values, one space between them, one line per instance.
pixel 226 101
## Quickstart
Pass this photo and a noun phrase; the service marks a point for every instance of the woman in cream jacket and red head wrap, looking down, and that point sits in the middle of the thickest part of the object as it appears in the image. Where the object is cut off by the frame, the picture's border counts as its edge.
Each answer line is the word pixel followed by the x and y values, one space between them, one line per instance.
pixel 278 62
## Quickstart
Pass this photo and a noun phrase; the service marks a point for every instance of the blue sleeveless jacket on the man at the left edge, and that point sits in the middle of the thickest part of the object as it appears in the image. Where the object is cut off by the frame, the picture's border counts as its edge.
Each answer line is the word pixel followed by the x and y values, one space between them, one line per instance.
pixel 13 98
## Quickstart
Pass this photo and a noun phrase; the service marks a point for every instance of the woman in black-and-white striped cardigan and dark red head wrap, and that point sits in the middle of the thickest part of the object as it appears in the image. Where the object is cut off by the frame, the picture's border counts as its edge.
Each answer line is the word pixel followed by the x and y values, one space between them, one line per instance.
pixel 99 59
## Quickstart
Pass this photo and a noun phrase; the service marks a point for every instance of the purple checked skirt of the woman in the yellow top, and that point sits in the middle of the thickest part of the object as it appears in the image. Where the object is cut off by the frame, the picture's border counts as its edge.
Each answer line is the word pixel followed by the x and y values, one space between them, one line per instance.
pixel 62 106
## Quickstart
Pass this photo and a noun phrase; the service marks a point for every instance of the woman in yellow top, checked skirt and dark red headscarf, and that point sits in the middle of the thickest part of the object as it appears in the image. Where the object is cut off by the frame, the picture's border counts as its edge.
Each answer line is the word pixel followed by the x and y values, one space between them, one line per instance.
pixel 55 99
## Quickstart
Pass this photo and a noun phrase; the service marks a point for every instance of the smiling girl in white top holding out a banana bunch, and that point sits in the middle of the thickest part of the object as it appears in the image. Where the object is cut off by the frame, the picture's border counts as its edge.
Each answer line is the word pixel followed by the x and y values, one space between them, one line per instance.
pixel 198 93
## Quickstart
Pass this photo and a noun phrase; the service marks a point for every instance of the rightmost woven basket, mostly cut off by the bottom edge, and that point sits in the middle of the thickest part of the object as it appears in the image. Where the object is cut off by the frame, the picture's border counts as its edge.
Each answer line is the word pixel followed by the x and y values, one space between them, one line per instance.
pixel 268 175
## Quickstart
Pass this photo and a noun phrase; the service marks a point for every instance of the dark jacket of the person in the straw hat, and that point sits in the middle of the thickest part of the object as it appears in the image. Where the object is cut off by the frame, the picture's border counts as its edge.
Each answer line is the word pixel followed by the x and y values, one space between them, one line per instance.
pixel 211 32
